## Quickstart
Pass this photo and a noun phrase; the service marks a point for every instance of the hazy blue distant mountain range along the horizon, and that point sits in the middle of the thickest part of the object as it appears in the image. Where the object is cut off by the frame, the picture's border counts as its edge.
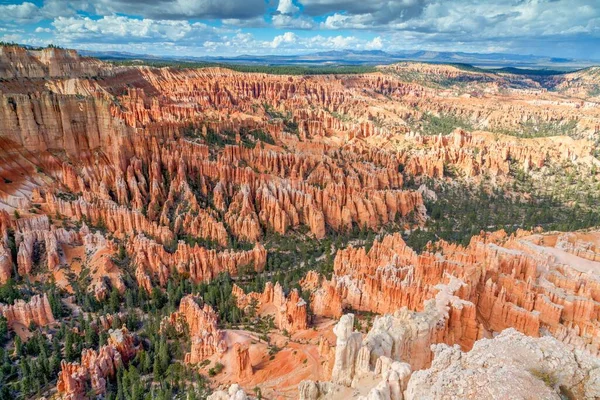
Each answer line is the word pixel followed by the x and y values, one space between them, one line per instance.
pixel 372 57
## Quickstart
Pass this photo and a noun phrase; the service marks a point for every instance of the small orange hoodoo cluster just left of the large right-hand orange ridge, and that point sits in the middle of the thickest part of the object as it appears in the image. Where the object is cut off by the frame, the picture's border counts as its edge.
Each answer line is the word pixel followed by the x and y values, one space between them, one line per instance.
pixel 290 311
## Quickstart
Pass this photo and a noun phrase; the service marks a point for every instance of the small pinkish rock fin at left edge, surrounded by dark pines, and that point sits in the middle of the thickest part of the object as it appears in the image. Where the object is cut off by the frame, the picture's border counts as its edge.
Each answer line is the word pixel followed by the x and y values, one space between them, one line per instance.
pixel 36 311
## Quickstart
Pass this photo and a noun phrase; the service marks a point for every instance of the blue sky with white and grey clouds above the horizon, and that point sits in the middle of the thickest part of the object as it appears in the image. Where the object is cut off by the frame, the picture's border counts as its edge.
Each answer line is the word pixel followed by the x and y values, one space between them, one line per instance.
pixel 559 28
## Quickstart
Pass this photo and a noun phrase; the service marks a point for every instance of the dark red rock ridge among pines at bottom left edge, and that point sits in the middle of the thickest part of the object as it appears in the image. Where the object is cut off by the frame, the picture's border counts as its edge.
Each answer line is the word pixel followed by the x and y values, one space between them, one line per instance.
pixel 96 367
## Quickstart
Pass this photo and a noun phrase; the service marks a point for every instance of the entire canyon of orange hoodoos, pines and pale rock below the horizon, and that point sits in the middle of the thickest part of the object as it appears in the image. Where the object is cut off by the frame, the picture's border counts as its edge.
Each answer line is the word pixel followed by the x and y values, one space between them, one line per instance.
pixel 247 235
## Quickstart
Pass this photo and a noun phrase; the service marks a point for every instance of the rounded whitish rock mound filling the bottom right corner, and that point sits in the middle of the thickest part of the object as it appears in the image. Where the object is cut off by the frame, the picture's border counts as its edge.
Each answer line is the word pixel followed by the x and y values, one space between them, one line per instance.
pixel 510 366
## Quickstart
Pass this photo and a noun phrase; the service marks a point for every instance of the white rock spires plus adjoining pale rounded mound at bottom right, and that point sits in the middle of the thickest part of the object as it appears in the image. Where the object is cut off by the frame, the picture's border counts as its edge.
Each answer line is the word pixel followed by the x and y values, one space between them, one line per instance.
pixel 510 366
